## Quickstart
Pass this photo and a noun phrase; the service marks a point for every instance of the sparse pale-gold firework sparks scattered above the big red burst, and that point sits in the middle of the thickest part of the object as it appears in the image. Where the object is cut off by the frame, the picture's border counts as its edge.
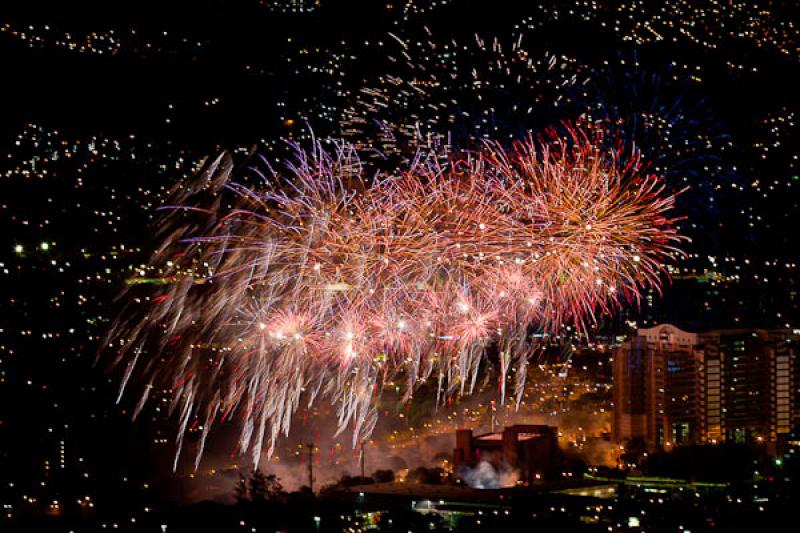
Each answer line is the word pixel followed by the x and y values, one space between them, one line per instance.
pixel 452 93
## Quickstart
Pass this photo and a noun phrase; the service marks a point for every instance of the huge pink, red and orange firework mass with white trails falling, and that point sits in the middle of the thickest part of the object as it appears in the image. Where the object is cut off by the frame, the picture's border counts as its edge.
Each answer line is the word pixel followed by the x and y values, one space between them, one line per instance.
pixel 328 282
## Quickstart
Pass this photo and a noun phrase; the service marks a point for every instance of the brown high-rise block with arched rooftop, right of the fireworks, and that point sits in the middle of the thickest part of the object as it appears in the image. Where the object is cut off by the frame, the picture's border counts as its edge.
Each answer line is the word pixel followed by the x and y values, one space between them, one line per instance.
pixel 673 387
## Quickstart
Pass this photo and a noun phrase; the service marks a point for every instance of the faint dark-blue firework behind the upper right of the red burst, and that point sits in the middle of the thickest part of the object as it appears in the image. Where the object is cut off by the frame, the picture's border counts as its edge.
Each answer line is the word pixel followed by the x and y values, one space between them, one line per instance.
pixel 675 128
